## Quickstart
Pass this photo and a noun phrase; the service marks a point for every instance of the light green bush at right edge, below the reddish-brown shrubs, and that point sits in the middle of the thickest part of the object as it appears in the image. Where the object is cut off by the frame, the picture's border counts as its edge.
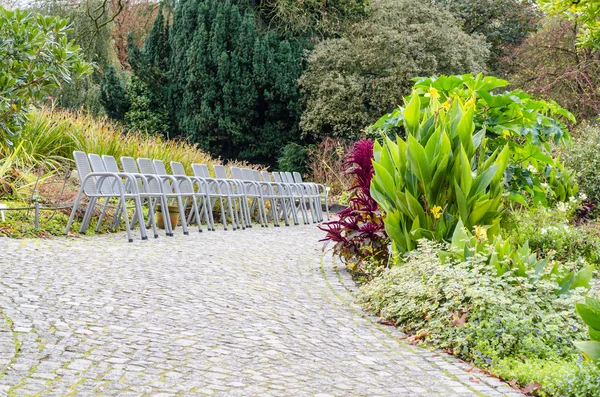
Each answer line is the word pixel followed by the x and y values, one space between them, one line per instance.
pixel 583 156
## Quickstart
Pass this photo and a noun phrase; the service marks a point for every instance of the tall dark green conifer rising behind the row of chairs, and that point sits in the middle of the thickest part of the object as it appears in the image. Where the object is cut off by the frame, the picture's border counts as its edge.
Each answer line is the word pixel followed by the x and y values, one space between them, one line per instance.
pixel 233 88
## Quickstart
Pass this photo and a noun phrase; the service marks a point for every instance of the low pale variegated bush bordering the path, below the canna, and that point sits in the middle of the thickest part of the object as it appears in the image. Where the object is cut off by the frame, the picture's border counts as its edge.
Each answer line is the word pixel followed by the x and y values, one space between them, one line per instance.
pixel 467 308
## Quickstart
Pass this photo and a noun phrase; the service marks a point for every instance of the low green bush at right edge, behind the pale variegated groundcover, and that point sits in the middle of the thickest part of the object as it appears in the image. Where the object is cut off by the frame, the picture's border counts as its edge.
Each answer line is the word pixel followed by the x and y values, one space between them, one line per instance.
pixel 550 233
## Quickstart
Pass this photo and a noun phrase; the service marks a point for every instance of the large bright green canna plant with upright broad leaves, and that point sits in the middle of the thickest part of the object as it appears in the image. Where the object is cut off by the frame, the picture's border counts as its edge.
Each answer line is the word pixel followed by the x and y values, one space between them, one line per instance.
pixel 440 175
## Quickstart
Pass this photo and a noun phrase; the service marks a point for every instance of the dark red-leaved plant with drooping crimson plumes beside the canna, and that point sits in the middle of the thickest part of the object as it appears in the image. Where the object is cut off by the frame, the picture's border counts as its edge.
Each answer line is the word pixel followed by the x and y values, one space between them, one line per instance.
pixel 359 232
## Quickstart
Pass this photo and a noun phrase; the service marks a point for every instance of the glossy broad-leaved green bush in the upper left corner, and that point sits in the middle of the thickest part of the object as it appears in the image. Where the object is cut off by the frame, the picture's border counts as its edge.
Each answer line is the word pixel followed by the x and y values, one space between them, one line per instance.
pixel 35 57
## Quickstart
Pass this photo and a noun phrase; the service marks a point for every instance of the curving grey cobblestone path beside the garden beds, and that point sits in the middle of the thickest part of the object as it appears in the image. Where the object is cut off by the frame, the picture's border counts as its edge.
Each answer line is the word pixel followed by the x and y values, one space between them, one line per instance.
pixel 260 312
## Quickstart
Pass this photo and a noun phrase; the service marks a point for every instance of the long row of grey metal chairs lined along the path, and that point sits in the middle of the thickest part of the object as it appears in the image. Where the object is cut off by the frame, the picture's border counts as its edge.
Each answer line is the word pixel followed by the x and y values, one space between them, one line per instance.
pixel 271 197
